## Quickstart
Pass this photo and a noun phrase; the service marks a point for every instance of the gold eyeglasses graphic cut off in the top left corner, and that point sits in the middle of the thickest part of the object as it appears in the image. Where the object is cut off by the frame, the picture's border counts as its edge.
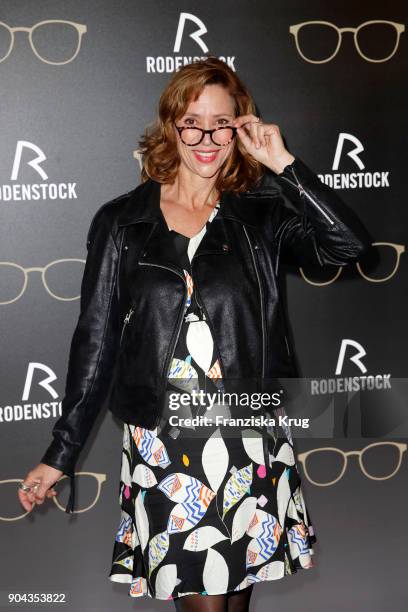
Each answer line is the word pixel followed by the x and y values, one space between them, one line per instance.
pixel 41 35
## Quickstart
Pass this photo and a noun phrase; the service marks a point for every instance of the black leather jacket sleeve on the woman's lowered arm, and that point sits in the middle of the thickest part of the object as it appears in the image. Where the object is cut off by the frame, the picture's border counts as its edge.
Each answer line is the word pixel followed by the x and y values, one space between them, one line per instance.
pixel 93 350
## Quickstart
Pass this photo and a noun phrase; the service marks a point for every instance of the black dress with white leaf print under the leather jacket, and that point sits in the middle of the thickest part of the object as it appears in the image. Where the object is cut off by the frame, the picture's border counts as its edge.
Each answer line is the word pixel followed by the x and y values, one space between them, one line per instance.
pixel 201 511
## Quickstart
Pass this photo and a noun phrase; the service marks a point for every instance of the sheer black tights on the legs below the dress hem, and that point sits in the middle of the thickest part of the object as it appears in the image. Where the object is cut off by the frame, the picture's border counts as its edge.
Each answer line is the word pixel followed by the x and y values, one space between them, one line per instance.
pixel 234 601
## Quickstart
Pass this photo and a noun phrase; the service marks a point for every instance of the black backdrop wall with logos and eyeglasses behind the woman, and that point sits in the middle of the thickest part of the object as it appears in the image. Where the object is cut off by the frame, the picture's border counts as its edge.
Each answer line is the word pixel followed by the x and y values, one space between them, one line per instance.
pixel 69 132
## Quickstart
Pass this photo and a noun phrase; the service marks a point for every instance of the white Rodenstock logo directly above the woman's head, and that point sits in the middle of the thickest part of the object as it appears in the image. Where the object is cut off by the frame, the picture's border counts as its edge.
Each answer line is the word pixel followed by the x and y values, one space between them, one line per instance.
pixel 171 63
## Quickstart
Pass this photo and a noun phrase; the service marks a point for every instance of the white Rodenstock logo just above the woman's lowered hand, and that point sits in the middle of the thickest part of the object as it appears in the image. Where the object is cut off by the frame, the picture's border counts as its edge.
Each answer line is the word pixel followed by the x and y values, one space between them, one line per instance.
pixel 40 375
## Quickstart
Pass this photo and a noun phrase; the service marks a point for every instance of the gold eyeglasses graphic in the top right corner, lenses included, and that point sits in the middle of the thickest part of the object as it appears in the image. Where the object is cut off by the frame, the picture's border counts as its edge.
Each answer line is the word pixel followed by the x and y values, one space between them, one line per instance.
pixel 328 37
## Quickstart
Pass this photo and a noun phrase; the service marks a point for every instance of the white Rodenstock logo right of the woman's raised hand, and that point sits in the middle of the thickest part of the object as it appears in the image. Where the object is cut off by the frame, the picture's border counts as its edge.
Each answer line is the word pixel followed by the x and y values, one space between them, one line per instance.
pixel 350 146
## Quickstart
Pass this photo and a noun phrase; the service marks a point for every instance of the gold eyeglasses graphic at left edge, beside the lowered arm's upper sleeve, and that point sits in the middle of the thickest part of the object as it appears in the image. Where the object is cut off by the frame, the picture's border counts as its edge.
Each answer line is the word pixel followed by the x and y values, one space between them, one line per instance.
pixel 19 273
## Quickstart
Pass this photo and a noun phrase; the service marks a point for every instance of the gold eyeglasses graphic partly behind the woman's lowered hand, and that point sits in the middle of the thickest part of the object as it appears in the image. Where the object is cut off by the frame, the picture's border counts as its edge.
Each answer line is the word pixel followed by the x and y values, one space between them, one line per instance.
pixel 85 483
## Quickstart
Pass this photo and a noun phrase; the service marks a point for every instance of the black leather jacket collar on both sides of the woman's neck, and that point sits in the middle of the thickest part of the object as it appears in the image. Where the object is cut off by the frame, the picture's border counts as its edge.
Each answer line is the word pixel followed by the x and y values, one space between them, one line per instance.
pixel 143 204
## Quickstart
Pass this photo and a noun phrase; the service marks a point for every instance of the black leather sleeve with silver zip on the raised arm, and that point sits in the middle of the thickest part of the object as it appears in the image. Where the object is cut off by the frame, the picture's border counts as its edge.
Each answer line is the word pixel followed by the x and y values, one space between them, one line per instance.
pixel 312 224
